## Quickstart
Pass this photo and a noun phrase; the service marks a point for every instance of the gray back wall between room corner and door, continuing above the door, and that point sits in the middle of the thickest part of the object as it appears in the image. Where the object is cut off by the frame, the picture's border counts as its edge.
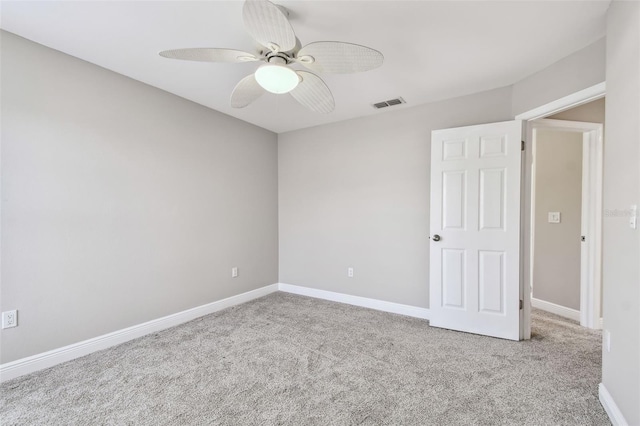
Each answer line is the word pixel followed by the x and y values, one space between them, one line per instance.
pixel 356 194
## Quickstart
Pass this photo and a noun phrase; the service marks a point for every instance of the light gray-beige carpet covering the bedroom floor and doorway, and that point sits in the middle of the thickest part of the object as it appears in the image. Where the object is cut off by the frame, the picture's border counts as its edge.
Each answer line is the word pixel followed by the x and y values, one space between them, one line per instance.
pixel 286 359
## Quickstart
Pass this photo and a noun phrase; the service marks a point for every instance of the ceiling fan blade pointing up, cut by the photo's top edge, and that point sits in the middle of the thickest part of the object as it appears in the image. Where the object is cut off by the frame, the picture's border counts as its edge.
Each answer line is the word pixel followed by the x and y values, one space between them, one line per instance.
pixel 268 24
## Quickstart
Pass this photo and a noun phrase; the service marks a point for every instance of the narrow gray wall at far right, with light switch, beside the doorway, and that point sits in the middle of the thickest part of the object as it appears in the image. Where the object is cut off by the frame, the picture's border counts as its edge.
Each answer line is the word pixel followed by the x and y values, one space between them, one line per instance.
pixel 621 249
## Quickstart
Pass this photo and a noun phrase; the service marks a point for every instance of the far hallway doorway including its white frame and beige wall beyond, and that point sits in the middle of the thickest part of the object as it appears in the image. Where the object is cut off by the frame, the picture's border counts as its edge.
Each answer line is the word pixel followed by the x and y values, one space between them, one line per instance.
pixel 565 227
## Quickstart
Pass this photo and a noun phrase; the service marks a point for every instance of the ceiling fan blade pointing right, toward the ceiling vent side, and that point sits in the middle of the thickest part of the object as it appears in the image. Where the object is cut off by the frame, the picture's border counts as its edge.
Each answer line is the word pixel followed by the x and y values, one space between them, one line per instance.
pixel 339 57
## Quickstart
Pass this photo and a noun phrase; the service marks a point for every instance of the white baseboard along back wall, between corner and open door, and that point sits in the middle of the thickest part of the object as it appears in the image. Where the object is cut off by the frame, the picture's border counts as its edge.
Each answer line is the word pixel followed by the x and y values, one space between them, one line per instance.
pixel 379 305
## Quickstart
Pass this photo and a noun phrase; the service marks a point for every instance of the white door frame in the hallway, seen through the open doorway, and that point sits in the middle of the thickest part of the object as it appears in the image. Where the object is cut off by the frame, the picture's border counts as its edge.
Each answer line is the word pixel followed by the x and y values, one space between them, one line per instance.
pixel 591 222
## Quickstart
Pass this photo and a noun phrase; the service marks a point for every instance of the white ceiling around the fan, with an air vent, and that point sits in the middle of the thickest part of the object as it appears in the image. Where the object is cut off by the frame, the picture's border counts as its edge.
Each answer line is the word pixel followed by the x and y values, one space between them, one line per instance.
pixel 433 49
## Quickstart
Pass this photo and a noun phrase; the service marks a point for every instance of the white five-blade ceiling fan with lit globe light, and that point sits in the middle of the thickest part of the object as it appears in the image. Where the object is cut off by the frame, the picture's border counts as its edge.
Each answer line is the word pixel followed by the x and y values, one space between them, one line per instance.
pixel 268 25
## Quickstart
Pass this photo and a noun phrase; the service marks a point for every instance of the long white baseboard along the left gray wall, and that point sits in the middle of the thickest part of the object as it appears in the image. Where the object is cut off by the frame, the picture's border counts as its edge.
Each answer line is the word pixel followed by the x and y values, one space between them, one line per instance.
pixel 47 359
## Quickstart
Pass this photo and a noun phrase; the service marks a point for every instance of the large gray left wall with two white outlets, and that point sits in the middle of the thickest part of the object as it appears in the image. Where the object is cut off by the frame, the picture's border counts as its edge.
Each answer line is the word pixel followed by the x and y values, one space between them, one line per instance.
pixel 122 203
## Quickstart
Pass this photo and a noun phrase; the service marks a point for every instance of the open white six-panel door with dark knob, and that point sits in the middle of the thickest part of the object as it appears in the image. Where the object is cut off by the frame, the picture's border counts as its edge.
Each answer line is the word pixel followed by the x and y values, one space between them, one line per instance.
pixel 475 229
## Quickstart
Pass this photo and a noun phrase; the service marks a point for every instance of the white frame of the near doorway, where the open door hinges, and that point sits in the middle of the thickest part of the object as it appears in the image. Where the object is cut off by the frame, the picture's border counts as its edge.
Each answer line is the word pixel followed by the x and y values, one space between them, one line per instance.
pixel 584 96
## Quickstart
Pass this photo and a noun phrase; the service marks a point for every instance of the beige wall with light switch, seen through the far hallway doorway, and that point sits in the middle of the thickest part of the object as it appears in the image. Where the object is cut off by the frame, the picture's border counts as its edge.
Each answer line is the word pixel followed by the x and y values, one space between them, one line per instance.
pixel 558 183
